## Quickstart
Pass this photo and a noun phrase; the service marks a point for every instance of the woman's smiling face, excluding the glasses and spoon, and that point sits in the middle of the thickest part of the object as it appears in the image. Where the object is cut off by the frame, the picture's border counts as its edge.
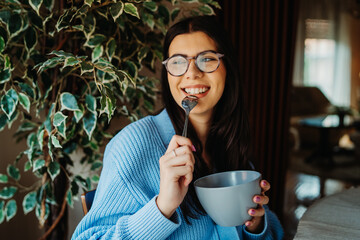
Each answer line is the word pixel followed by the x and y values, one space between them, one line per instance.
pixel 208 87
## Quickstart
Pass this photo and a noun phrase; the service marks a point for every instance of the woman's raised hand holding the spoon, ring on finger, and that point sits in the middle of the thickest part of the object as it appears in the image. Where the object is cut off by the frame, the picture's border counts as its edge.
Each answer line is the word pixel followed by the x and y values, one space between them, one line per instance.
pixel 176 173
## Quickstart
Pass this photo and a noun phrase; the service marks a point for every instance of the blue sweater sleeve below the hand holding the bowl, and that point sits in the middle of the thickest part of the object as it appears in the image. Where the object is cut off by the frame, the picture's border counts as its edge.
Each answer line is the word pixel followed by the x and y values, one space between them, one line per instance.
pixel 272 229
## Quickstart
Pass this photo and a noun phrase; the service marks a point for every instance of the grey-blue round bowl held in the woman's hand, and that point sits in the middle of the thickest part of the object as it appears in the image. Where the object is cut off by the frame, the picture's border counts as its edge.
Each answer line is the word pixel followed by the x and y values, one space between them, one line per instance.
pixel 227 196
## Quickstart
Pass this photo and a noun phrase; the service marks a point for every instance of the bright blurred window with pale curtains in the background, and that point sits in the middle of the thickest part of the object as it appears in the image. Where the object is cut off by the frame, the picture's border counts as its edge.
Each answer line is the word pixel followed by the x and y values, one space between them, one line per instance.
pixel 323 57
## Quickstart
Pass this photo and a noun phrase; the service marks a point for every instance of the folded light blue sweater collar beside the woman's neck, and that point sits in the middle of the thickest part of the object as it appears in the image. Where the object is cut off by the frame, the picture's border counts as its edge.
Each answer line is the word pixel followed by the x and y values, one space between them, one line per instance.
pixel 164 126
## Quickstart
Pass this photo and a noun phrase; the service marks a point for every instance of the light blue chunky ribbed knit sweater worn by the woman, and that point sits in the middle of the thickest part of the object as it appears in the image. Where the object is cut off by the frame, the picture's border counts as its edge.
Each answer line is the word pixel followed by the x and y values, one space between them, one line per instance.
pixel 124 205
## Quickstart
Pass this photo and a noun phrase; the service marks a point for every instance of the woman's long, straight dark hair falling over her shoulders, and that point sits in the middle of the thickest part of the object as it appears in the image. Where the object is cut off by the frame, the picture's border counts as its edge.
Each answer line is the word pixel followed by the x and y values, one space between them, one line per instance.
pixel 228 137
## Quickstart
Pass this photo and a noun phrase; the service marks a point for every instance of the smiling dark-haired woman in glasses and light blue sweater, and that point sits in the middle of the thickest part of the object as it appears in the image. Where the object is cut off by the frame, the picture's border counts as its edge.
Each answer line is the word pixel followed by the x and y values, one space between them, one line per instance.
pixel 145 189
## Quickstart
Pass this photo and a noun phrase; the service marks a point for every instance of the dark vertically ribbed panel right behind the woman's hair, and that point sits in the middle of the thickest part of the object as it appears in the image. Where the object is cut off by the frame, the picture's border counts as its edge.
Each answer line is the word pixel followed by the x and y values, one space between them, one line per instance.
pixel 263 33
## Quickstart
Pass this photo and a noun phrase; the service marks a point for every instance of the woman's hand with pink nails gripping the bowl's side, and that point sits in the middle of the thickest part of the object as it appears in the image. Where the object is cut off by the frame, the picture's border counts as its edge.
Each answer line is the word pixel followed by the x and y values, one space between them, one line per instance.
pixel 256 224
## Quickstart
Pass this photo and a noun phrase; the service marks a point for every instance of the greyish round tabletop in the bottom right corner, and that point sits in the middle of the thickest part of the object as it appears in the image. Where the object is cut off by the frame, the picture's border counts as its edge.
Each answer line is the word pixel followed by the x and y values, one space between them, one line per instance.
pixel 333 217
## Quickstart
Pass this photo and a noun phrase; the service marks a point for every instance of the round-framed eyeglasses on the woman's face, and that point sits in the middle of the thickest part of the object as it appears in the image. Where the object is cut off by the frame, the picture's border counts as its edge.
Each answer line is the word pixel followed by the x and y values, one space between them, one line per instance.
pixel 207 61
